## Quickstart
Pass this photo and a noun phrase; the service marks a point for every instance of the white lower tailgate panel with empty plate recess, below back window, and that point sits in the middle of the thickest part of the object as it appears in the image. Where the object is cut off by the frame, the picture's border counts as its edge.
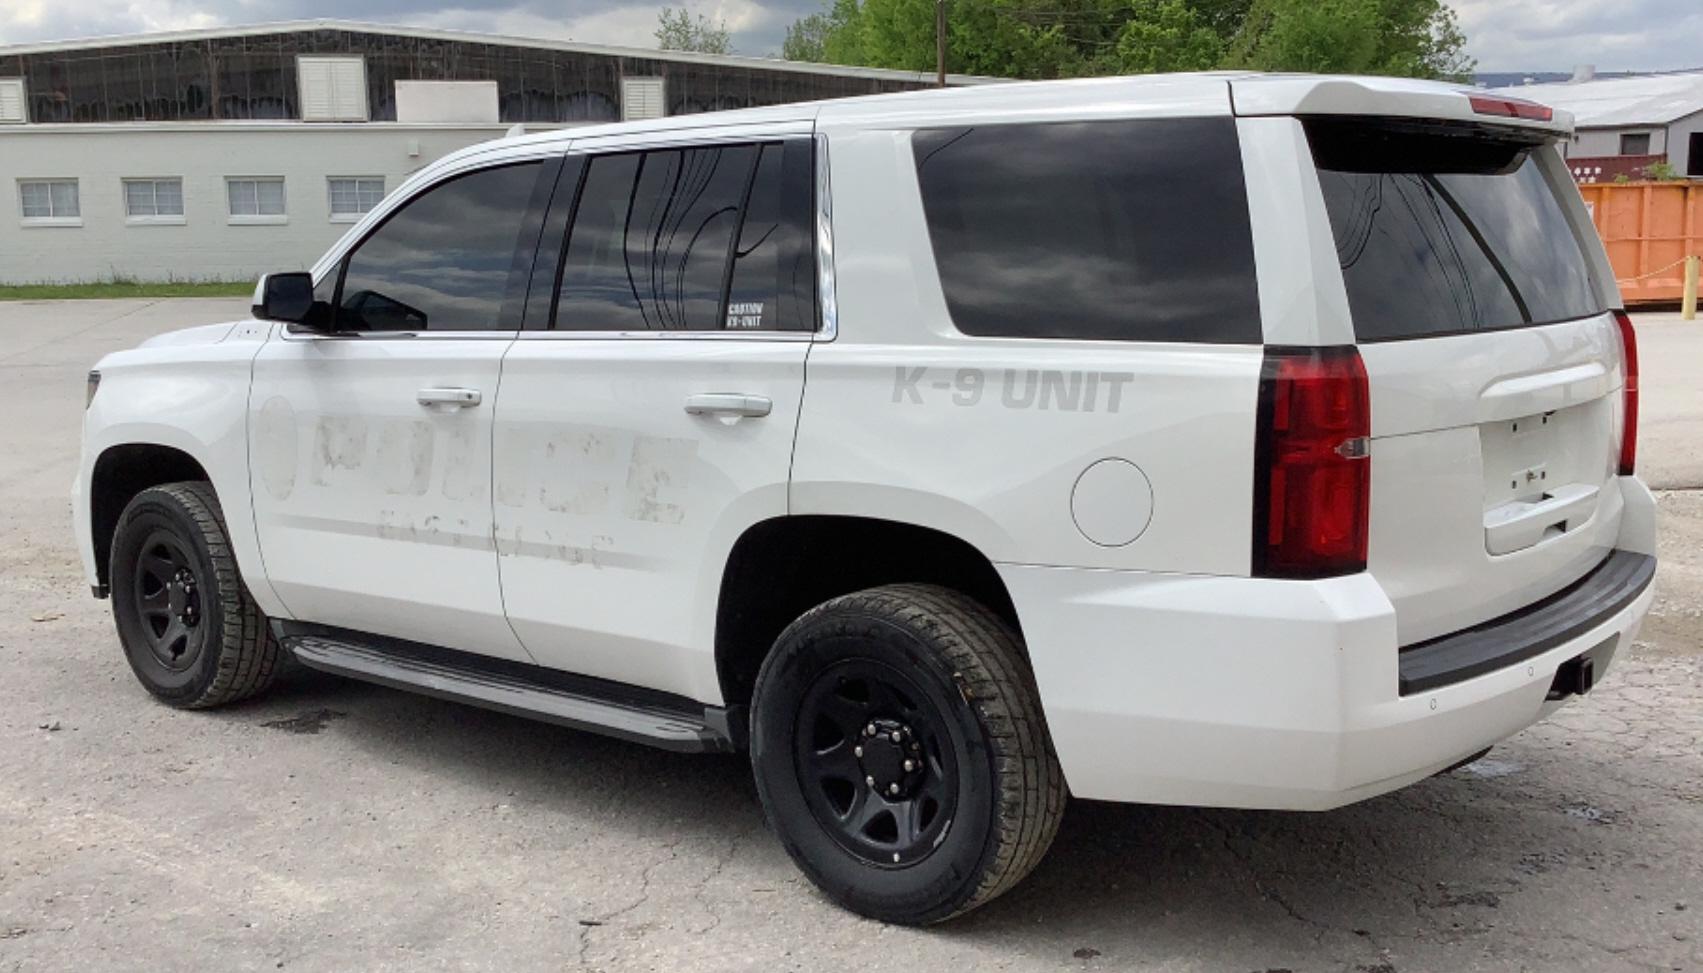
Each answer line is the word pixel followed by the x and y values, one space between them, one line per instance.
pixel 1455 425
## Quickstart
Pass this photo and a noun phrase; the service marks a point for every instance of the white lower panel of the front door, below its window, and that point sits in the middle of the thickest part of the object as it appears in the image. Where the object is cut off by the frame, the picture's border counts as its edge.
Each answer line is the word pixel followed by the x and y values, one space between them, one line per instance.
pixel 374 509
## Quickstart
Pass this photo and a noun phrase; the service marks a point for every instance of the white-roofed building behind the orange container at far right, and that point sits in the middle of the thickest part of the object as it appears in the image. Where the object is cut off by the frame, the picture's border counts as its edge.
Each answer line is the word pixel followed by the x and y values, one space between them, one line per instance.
pixel 1632 120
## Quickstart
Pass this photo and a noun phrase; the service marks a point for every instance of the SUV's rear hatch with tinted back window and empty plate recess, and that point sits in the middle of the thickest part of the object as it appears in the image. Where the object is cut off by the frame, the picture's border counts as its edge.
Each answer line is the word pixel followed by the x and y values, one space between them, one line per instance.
pixel 1493 359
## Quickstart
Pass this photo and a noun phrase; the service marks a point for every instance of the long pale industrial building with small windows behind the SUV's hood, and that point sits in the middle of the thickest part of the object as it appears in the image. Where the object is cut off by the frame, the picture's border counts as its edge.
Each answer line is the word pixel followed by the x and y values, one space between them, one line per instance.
pixel 227 153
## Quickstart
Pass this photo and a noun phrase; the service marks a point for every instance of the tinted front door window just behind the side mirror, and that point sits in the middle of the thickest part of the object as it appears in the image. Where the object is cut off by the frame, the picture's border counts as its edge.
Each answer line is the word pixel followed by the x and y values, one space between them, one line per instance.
pixel 444 262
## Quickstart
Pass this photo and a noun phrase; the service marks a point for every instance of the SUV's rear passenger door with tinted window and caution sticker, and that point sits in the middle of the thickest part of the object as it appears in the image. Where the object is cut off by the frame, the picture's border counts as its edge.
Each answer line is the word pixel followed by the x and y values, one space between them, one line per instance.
pixel 643 434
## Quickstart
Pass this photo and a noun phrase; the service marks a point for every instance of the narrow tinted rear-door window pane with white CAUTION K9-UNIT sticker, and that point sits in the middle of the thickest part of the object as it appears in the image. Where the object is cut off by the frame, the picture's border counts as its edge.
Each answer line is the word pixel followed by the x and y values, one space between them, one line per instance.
pixel 774 279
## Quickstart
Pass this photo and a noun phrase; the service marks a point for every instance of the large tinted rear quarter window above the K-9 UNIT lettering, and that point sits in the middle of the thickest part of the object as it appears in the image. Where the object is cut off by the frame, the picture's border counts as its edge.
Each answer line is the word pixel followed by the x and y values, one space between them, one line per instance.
pixel 1132 231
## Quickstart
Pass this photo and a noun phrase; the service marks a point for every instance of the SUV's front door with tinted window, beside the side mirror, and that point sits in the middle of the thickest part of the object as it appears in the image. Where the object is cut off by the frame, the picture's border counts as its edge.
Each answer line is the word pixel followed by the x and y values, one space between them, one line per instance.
pixel 372 446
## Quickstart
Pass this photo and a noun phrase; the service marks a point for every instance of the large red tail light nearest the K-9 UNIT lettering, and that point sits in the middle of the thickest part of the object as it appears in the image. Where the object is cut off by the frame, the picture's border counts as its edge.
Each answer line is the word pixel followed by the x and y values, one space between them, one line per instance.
pixel 1312 478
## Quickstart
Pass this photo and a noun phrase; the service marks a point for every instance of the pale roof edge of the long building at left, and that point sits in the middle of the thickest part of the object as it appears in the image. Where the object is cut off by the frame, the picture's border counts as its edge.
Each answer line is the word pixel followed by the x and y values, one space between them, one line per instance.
pixel 478 38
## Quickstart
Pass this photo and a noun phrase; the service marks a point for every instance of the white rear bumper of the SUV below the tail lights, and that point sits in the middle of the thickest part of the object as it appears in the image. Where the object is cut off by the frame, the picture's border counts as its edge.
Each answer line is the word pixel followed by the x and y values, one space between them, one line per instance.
pixel 1251 693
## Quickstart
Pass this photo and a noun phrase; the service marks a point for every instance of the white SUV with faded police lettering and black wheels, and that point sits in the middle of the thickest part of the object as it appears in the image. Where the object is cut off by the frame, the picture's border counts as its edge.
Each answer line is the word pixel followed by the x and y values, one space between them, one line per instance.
pixel 1239 440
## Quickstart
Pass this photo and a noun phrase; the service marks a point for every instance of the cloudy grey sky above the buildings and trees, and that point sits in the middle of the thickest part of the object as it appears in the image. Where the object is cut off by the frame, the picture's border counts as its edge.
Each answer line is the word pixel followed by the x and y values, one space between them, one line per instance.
pixel 1503 35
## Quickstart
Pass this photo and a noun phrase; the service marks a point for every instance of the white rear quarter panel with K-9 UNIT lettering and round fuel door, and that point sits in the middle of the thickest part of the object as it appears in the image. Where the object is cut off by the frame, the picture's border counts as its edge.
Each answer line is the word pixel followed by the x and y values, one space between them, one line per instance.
pixel 910 420
